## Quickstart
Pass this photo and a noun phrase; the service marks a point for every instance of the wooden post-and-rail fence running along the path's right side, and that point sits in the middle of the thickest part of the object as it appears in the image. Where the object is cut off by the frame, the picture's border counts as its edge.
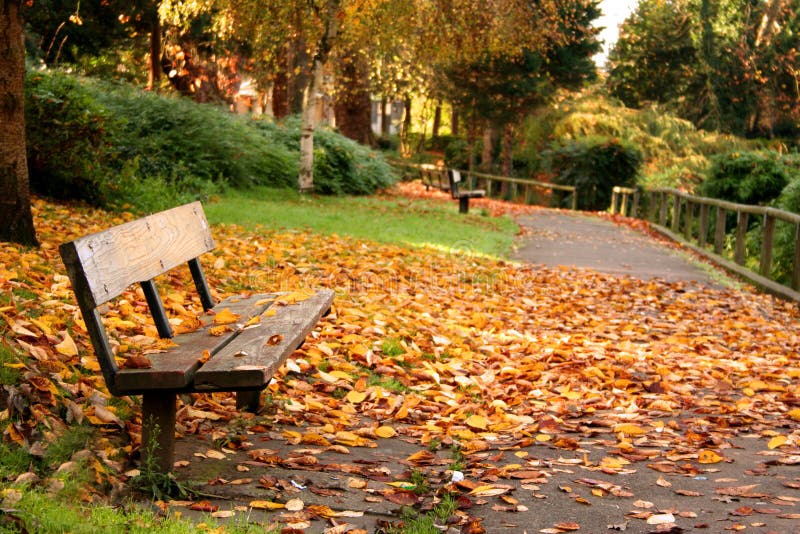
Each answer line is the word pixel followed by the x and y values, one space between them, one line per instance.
pixel 710 226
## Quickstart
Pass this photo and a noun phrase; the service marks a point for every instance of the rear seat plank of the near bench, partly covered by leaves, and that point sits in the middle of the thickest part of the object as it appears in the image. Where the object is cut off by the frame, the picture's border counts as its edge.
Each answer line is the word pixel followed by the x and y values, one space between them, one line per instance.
pixel 175 368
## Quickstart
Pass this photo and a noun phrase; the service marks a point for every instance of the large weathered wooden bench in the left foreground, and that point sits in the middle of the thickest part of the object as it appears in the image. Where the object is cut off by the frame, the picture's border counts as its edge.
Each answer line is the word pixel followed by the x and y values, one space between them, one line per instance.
pixel 265 330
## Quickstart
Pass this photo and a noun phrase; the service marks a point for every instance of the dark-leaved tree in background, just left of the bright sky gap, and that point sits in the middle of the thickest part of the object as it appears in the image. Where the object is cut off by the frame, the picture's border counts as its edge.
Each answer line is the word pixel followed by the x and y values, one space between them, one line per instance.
pixel 497 84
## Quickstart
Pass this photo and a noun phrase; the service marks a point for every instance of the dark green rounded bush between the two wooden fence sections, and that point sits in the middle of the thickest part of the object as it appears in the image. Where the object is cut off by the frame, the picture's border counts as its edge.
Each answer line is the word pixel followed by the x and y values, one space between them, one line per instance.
pixel 594 165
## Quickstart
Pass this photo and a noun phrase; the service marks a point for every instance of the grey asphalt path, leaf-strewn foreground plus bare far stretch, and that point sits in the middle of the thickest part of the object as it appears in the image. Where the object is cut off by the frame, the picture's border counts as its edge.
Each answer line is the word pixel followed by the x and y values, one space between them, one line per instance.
pixel 753 490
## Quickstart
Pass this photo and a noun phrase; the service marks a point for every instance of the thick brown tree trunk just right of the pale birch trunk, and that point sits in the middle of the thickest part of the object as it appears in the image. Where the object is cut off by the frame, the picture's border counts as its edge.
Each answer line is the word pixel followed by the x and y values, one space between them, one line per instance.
pixel 353 107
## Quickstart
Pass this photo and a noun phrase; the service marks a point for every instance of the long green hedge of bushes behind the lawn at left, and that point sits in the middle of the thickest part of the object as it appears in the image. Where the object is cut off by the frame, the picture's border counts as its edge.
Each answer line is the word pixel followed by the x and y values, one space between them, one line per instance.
pixel 116 146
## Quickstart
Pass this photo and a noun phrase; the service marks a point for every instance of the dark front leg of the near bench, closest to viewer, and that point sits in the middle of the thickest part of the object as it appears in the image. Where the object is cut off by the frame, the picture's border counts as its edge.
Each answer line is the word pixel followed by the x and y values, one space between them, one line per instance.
pixel 158 429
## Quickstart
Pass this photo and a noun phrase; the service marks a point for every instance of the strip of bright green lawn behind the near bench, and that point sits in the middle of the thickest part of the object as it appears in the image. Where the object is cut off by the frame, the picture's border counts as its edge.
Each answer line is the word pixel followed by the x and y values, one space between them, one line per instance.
pixel 383 219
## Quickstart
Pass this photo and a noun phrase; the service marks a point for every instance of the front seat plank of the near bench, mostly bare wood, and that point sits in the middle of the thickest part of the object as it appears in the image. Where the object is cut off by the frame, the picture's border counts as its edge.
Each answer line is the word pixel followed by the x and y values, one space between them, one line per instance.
pixel 250 360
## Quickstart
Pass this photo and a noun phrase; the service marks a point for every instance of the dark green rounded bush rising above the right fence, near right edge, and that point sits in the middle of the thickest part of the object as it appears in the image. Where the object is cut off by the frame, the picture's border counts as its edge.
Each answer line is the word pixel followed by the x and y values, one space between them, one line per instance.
pixel 749 177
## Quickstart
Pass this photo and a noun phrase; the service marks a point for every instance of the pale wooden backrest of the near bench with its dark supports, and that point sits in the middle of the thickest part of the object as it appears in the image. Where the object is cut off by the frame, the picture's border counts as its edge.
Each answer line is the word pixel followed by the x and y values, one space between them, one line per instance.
pixel 103 265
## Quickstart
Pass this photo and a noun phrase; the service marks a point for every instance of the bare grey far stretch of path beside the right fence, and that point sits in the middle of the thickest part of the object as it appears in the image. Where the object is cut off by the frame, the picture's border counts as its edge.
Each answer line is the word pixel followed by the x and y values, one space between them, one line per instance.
pixel 569 239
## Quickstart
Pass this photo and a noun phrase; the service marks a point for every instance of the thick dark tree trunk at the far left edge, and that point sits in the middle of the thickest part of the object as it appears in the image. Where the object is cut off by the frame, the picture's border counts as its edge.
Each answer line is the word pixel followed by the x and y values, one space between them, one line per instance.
pixel 16 220
